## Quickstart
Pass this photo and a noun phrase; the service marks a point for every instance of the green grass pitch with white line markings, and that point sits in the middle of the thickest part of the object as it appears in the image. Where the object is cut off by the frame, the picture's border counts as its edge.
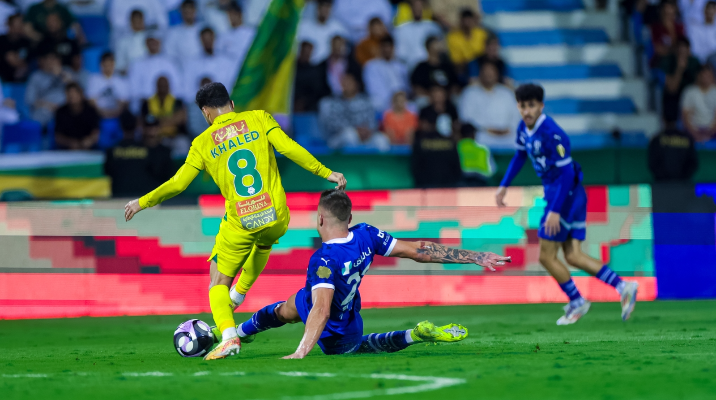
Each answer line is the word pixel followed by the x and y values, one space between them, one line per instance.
pixel 666 351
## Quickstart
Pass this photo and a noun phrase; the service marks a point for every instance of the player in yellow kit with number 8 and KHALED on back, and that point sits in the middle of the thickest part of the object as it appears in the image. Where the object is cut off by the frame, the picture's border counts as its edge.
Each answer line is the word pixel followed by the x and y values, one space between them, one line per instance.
pixel 237 151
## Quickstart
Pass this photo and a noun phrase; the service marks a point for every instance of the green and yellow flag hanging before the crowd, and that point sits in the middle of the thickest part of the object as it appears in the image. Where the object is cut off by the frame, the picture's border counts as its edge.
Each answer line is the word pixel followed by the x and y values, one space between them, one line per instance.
pixel 266 78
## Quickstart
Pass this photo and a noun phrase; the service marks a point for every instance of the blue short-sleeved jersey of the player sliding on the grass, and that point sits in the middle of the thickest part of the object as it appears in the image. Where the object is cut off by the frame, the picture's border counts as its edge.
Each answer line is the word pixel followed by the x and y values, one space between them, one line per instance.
pixel 340 264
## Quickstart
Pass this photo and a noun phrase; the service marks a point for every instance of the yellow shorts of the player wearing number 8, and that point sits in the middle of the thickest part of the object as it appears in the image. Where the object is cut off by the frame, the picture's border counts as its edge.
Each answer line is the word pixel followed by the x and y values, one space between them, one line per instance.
pixel 233 246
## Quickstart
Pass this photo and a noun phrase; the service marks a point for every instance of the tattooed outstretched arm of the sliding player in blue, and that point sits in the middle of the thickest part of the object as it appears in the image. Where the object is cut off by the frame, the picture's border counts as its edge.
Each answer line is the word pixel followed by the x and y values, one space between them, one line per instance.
pixel 429 252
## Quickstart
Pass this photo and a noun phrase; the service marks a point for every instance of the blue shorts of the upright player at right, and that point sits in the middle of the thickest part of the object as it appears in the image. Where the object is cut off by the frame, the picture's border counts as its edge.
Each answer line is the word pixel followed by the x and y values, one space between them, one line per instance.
pixel 573 216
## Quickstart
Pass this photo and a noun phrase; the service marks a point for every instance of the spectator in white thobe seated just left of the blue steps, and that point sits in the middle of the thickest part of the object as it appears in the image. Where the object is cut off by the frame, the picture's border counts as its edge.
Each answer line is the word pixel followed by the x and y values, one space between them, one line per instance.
pixel 490 107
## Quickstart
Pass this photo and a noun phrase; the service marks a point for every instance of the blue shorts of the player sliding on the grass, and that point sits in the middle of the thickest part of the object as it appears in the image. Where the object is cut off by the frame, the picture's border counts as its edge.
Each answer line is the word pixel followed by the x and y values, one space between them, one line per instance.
pixel 337 338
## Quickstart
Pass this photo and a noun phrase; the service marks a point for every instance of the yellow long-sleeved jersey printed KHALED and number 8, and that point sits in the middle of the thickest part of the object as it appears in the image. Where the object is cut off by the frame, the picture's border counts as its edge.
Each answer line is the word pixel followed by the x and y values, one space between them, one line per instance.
pixel 237 150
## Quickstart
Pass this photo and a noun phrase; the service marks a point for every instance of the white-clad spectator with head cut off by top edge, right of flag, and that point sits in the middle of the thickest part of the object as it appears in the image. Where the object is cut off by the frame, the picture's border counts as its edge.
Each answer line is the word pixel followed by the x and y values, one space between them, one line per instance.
pixel 356 14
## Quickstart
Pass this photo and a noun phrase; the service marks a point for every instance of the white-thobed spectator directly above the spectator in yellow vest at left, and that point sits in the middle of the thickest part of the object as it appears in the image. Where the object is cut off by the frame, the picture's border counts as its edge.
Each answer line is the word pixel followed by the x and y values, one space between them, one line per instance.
pixel 144 72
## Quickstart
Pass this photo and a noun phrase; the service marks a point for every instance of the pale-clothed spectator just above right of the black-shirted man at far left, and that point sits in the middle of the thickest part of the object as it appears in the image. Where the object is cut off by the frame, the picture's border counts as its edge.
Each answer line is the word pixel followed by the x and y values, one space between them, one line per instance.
pixel 108 91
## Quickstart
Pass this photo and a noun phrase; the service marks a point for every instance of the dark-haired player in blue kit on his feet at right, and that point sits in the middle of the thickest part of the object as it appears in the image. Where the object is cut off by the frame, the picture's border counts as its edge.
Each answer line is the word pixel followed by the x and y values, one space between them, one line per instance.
pixel 564 222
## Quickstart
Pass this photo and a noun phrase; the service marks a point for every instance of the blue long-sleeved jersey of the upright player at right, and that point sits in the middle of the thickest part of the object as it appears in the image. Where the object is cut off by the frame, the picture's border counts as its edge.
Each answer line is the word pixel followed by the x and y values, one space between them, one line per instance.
pixel 548 148
